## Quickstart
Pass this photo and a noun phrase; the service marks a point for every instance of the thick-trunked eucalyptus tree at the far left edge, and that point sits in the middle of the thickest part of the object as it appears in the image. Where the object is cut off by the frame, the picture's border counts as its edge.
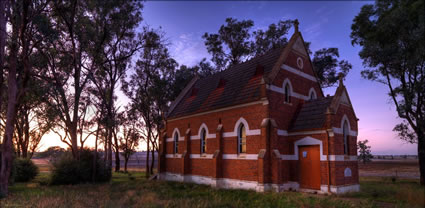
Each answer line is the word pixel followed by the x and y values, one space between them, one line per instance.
pixel 23 18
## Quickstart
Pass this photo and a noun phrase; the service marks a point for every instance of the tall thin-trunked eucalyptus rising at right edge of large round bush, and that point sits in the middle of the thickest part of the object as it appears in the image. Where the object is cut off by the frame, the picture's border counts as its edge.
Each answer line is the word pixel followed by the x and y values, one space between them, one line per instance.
pixel 115 22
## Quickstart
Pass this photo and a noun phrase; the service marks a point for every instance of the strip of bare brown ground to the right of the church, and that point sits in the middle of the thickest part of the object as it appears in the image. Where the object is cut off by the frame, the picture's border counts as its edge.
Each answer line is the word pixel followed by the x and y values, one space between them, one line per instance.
pixel 390 168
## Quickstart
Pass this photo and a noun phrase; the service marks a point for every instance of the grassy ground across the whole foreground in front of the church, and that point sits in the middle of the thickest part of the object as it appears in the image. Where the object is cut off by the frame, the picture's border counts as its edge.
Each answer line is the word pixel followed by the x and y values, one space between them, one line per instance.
pixel 133 190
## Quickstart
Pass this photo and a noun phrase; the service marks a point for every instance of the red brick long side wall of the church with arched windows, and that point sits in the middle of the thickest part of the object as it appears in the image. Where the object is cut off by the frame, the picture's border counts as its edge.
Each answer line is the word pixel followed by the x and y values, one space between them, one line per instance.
pixel 253 114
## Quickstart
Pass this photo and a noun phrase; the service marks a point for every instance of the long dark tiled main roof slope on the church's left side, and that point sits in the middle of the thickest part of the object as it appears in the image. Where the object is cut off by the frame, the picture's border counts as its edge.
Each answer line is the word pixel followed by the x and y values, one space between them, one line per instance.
pixel 242 84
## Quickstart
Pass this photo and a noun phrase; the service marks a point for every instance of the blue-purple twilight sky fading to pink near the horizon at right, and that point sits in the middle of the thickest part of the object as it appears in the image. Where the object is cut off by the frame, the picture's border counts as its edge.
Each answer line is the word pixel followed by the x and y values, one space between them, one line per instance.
pixel 324 24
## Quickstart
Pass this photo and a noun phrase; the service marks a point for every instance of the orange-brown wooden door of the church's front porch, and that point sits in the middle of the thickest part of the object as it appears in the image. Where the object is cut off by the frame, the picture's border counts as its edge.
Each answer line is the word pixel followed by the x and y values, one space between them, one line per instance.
pixel 309 166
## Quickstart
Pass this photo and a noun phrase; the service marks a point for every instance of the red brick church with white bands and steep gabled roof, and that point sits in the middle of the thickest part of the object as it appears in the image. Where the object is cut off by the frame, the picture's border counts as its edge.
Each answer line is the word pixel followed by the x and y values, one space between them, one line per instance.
pixel 264 124
